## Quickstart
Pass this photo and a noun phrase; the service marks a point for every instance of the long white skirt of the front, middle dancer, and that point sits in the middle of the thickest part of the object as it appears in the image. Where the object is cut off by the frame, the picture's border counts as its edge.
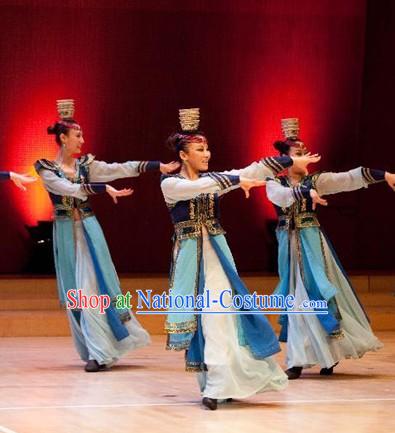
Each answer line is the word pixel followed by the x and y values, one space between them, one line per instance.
pixel 232 372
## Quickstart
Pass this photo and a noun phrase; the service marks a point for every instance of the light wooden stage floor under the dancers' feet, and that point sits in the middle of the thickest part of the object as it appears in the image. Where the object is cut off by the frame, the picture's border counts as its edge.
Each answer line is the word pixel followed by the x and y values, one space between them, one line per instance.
pixel 43 389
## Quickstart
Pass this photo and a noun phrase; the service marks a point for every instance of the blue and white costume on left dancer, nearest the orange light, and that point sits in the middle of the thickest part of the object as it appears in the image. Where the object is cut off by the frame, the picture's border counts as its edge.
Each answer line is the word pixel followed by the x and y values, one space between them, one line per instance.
pixel 82 258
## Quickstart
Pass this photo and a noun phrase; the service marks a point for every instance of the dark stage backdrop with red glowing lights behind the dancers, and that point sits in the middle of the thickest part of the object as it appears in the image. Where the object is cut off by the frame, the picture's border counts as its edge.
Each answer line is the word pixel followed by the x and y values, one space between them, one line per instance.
pixel 131 64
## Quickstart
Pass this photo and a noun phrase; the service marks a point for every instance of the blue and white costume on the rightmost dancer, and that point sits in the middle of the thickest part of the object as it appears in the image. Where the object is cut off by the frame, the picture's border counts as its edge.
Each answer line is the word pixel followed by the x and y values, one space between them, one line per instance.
pixel 310 270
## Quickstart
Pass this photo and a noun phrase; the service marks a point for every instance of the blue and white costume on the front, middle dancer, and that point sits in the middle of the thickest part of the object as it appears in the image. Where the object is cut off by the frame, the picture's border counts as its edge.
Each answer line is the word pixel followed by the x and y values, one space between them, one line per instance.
pixel 232 354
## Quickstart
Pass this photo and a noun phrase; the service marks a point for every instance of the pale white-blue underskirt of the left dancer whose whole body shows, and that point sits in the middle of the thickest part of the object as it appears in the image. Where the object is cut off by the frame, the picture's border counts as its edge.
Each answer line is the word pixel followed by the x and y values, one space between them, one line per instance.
pixel 92 335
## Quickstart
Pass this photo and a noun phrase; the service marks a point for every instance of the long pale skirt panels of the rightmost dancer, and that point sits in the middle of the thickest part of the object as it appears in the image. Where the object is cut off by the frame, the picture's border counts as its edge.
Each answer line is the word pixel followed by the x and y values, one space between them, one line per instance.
pixel 308 344
